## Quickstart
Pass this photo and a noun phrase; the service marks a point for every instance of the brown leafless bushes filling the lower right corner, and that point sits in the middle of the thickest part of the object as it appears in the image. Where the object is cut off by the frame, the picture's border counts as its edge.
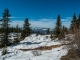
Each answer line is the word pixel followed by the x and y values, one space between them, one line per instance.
pixel 74 51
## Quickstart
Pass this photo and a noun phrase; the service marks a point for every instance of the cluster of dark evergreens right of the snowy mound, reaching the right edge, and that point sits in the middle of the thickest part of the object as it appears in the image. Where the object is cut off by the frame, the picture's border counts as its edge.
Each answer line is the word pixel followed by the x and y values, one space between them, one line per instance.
pixel 60 31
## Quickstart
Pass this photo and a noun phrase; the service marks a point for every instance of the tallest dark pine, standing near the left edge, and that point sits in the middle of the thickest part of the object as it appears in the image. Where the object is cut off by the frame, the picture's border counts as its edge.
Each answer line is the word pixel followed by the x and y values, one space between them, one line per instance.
pixel 5 25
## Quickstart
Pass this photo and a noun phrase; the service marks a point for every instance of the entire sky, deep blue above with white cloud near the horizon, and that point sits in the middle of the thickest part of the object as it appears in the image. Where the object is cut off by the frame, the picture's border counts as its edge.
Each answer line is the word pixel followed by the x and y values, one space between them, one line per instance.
pixel 42 12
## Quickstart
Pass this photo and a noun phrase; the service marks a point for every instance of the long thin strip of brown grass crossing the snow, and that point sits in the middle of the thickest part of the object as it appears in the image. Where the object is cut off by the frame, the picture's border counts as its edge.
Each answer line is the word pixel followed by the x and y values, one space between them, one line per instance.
pixel 42 48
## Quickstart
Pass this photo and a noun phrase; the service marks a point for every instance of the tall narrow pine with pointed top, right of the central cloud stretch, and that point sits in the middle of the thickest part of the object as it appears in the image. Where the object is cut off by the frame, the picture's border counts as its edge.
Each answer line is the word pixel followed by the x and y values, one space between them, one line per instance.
pixel 58 26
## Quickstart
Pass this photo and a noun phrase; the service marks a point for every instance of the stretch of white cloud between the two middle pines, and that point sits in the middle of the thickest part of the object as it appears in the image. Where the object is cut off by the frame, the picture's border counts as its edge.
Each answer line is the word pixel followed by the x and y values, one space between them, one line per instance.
pixel 49 23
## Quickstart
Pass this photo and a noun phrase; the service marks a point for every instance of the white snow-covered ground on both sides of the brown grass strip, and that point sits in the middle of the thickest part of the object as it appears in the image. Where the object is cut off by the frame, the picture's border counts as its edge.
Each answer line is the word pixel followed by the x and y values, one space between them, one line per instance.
pixel 31 42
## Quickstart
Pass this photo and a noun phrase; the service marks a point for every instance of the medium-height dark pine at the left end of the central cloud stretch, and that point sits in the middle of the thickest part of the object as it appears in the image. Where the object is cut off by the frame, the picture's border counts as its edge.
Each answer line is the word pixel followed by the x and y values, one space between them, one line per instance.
pixel 26 28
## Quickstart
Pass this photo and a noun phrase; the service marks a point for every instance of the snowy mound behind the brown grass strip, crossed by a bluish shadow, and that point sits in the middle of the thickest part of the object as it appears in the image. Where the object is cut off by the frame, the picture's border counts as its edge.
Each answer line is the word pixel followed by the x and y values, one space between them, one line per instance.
pixel 34 41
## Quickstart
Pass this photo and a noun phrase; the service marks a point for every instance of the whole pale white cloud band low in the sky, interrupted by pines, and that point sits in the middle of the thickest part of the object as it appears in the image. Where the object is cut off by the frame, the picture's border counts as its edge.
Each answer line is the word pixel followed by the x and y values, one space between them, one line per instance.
pixel 48 23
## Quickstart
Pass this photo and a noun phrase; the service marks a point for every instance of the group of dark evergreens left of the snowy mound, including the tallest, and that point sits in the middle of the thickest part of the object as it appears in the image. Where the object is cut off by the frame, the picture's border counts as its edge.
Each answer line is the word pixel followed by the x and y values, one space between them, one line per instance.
pixel 5 29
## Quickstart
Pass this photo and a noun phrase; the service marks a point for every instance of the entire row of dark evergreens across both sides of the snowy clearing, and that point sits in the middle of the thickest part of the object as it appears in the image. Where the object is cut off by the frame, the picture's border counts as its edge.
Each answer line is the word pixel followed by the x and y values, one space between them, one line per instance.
pixel 59 30
